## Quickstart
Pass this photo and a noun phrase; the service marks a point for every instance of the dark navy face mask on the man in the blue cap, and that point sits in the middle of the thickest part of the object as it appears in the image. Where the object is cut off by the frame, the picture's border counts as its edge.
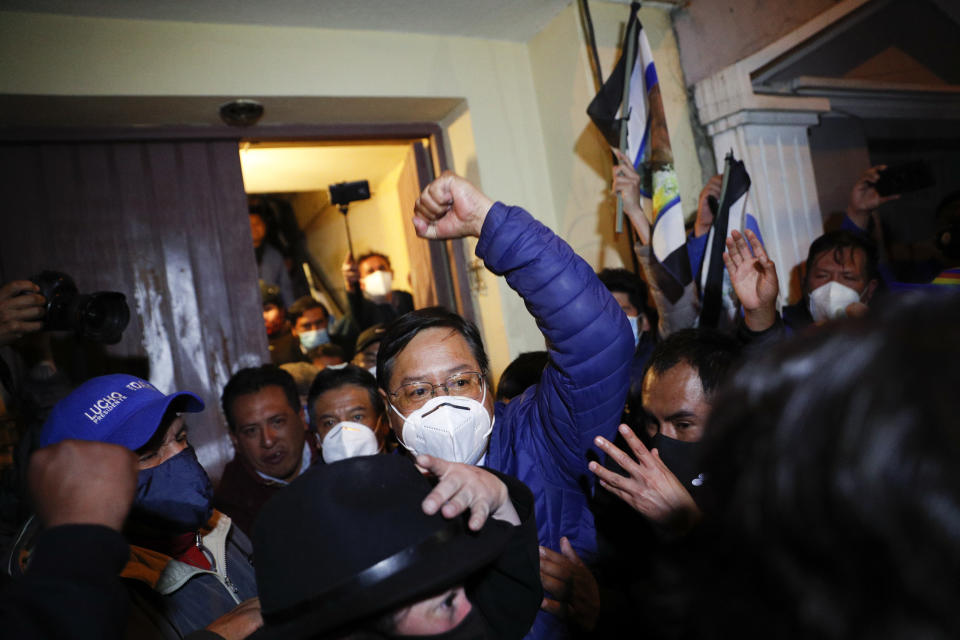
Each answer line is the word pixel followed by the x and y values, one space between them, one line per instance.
pixel 173 497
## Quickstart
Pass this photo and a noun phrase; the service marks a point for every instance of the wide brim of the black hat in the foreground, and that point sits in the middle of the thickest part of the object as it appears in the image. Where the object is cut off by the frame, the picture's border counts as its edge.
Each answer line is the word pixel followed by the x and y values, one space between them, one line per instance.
pixel 444 566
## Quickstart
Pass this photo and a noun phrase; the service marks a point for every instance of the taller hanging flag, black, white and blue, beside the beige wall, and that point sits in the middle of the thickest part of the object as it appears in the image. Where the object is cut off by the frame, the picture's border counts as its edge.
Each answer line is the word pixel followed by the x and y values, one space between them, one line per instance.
pixel 648 146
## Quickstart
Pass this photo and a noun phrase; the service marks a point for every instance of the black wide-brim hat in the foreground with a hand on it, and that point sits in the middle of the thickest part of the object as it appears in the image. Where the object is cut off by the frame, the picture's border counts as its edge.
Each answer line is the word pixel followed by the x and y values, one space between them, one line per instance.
pixel 347 542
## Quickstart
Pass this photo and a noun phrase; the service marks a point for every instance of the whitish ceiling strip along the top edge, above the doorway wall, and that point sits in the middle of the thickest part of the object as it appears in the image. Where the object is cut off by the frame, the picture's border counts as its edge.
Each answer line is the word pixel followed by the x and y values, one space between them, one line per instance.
pixel 516 20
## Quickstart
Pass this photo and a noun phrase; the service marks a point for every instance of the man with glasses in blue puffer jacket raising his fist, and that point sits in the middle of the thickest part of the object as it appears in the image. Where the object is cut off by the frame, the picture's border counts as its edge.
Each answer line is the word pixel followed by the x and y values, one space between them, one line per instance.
pixel 432 372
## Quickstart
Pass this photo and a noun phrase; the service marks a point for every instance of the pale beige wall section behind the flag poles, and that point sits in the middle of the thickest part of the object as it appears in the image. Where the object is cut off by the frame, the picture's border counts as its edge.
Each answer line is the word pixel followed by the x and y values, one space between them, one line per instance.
pixel 577 155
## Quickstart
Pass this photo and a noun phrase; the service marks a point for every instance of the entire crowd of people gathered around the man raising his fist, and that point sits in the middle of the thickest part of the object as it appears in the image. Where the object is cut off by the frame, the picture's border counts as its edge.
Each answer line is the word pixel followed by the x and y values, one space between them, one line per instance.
pixel 794 476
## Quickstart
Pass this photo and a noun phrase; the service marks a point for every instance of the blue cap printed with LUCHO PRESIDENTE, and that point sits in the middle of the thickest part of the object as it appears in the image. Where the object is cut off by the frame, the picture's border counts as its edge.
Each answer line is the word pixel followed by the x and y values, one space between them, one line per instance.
pixel 119 409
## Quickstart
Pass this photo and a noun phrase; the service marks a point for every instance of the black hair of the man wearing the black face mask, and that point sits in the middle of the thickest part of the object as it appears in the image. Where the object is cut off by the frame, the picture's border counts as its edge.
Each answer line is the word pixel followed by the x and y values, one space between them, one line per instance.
pixel 712 353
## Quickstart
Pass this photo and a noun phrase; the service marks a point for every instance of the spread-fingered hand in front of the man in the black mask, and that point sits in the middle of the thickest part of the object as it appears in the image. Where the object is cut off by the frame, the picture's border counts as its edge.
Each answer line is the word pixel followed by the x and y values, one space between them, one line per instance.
pixel 649 486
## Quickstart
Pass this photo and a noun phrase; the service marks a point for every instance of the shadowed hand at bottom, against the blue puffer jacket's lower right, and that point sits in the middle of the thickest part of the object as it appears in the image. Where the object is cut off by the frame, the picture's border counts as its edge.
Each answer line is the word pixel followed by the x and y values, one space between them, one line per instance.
pixel 575 590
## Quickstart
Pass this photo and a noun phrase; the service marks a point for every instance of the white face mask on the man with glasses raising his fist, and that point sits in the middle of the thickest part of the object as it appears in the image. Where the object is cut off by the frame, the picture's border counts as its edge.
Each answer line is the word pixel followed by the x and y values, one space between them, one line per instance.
pixel 453 428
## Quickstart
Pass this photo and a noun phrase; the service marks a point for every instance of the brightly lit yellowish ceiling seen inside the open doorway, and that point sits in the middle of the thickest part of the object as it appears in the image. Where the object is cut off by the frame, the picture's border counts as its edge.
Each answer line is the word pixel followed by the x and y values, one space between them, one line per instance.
pixel 286 168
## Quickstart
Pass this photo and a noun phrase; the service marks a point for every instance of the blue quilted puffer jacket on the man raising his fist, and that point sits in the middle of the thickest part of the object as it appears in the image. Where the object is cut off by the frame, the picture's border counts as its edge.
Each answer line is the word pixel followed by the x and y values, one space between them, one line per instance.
pixel 545 436
